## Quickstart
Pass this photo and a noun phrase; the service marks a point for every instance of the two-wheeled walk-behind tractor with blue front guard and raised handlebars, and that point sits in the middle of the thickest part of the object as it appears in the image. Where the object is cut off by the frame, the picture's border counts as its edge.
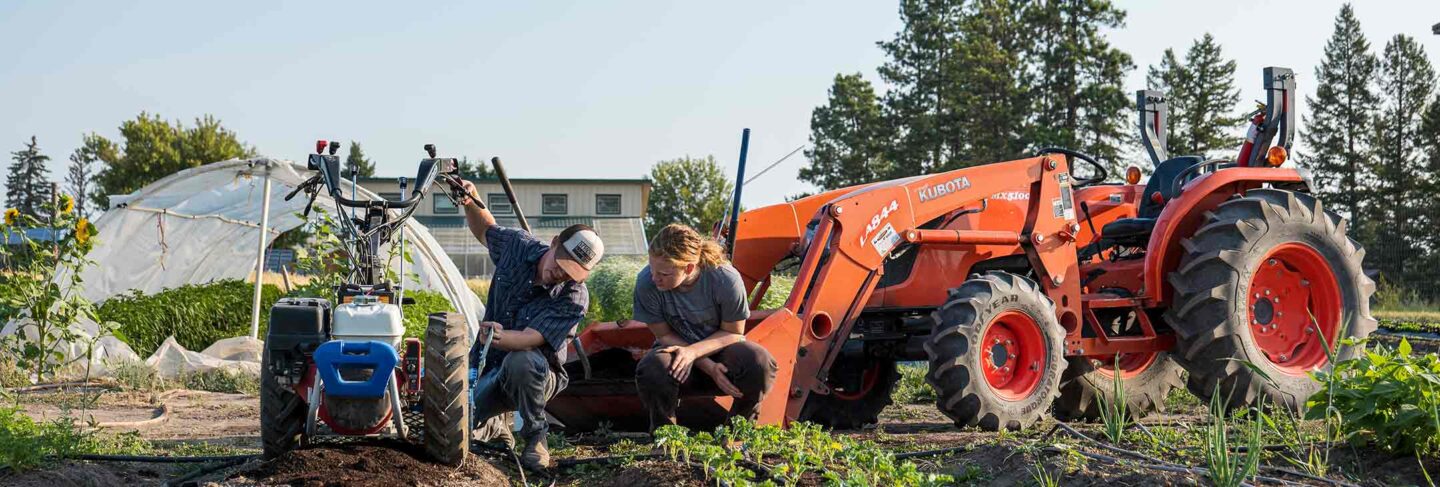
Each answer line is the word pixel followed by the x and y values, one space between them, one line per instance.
pixel 346 370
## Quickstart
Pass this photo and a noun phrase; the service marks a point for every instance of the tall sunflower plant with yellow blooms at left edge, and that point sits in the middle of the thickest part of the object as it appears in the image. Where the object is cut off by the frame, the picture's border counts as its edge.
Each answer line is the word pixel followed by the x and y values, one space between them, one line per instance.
pixel 44 287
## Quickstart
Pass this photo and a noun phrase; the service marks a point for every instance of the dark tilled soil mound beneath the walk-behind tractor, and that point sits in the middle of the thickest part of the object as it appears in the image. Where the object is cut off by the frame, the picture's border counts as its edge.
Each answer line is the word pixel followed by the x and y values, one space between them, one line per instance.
pixel 366 465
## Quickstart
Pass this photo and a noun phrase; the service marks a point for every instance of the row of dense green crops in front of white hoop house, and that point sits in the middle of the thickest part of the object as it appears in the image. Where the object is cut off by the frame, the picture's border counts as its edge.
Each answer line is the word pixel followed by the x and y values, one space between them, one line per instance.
pixel 195 315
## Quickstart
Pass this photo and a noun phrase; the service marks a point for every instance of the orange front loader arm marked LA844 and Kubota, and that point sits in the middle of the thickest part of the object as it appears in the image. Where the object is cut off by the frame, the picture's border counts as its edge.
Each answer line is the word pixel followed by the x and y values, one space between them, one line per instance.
pixel 858 231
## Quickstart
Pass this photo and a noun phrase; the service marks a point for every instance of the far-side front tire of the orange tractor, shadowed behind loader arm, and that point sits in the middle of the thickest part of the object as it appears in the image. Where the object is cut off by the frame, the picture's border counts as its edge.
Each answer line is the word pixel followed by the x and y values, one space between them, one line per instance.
pixel 842 411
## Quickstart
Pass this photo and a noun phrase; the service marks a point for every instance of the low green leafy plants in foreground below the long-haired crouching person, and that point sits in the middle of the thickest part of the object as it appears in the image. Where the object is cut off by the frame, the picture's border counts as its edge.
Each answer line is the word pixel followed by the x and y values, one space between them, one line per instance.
pixel 788 456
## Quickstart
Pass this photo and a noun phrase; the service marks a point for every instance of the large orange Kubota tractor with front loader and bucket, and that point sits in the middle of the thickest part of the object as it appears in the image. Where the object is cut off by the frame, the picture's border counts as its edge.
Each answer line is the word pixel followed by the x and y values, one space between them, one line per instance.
pixel 1026 287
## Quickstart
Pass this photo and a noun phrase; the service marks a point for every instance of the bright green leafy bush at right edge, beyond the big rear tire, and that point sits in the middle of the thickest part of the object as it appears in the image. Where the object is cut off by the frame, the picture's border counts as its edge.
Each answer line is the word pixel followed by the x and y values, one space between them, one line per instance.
pixel 1387 396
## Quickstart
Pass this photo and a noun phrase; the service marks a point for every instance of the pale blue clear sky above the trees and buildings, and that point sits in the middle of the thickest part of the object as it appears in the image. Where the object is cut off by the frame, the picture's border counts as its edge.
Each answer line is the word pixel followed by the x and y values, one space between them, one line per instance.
pixel 555 89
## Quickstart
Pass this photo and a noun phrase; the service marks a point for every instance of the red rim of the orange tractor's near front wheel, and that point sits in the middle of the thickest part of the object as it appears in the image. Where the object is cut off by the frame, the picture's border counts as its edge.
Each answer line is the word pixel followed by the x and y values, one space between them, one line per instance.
pixel 1013 355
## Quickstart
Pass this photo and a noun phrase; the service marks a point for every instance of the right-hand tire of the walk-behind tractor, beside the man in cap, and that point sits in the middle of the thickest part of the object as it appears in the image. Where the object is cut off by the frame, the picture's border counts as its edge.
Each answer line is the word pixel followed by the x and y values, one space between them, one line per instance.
pixel 446 390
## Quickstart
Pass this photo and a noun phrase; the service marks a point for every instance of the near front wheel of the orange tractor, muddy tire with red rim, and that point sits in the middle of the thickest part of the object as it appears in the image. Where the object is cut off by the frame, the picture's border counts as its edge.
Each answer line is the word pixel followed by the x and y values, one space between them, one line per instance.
pixel 997 354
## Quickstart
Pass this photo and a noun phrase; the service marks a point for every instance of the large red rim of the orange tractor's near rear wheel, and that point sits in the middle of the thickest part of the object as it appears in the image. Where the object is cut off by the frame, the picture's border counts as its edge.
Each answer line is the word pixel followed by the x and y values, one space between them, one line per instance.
pixel 1294 302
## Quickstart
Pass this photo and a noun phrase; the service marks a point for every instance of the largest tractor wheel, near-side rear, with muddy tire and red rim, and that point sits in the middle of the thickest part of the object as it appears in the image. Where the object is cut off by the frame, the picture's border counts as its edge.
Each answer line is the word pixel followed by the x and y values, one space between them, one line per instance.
pixel 1228 309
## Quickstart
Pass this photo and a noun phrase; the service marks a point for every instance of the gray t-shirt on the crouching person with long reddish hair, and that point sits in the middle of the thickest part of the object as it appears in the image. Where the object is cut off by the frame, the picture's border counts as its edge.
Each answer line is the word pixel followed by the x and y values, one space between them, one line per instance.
pixel 696 315
